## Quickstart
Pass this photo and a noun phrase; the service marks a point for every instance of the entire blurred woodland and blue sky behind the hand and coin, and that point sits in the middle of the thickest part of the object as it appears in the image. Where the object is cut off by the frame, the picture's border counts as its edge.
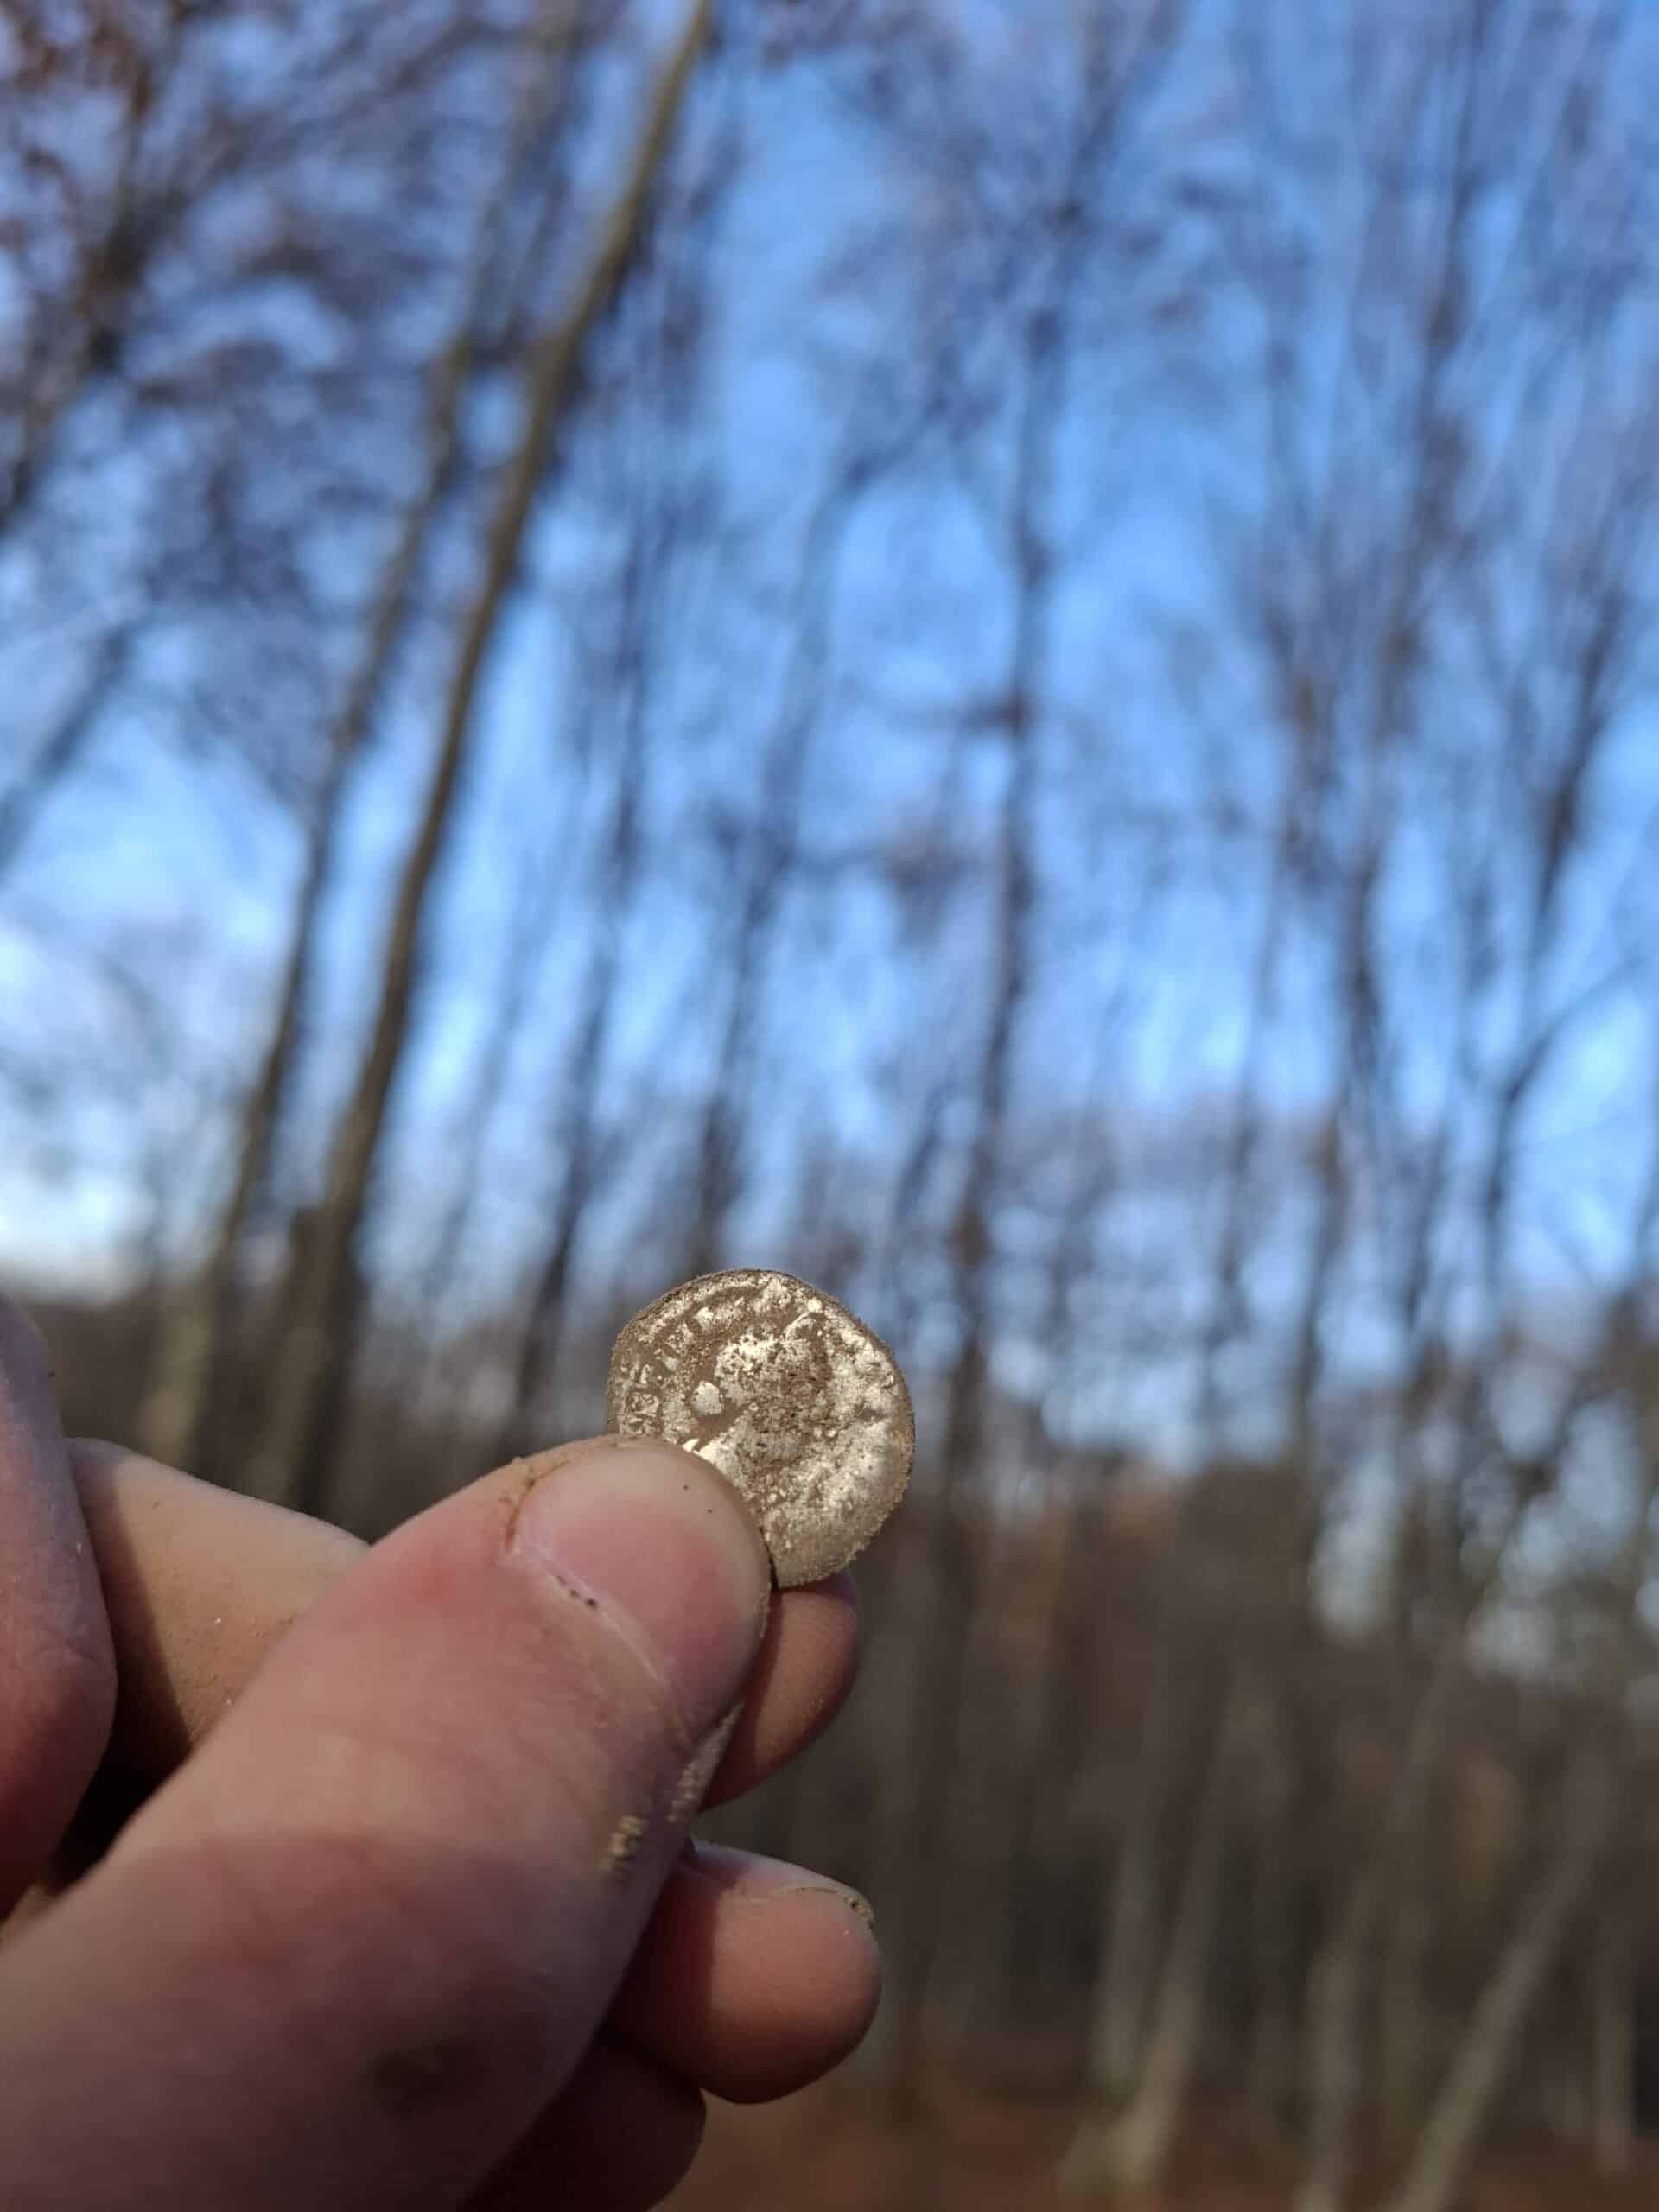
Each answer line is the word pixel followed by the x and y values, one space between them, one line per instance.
pixel 999 651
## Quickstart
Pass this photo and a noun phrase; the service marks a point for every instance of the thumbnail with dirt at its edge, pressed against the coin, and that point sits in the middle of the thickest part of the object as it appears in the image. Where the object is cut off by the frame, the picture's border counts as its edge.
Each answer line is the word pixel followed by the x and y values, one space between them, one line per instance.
pixel 667 1552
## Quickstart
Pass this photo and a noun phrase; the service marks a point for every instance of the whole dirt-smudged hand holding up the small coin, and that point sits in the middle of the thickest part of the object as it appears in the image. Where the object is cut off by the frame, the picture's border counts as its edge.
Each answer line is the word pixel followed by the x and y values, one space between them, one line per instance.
pixel 406 1914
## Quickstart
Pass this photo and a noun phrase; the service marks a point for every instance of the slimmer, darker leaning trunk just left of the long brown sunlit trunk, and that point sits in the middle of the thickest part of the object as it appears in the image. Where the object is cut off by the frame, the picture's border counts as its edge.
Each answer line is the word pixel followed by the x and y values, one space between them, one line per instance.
pixel 200 1319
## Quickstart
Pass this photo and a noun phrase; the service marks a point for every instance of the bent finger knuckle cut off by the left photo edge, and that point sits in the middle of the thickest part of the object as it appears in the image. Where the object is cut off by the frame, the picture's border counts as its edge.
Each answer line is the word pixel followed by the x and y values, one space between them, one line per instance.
pixel 56 1667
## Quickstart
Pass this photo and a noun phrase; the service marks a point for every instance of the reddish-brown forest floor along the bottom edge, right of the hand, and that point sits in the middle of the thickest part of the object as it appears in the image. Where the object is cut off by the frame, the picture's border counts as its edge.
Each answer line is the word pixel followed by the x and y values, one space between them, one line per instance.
pixel 833 2153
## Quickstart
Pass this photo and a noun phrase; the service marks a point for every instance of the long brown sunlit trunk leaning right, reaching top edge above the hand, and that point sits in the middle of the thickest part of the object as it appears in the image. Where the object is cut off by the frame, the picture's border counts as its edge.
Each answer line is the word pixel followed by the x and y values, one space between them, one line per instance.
pixel 289 1463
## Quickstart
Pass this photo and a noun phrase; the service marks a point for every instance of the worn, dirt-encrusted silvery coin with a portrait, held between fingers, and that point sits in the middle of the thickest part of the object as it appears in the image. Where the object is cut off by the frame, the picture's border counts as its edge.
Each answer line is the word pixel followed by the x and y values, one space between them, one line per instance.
pixel 797 1404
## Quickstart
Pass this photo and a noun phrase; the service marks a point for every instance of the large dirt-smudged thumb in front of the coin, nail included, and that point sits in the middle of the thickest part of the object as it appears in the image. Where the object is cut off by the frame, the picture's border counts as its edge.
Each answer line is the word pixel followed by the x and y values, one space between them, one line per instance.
pixel 368 1932
